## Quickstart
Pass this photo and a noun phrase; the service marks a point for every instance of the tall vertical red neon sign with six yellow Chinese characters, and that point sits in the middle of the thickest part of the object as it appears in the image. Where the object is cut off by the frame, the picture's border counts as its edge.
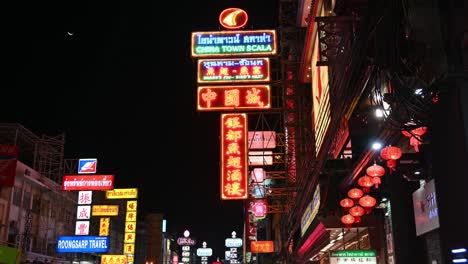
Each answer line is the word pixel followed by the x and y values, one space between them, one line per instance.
pixel 234 180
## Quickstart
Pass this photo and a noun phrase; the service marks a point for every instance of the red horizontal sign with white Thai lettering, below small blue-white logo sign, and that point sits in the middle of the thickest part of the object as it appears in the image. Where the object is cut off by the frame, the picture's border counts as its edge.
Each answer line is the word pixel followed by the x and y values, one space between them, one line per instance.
pixel 87 183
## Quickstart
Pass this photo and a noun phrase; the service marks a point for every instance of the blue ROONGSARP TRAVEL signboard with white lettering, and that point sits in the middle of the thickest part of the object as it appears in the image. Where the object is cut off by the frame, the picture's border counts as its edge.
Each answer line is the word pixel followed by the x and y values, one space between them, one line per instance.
pixel 84 244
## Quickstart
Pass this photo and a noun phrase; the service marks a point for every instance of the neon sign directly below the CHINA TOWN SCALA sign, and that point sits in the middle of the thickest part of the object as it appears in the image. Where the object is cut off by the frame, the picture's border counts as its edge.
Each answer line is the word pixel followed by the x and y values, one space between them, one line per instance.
pixel 234 70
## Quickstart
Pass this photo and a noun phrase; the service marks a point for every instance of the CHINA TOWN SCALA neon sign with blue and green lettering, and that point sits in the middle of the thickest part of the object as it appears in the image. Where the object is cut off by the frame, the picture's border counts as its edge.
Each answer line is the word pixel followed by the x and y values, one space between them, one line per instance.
pixel 233 43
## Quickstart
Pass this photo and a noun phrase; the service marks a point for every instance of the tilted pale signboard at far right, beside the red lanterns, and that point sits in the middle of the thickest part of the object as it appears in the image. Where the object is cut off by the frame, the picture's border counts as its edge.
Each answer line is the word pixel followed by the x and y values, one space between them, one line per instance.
pixel 426 213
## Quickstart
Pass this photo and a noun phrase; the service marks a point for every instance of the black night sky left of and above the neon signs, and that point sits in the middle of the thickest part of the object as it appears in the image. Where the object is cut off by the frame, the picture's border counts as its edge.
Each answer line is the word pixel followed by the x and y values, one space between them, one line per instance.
pixel 117 78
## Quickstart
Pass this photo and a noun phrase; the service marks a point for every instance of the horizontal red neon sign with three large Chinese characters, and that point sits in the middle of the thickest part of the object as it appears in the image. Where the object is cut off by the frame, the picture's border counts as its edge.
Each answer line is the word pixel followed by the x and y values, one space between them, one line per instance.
pixel 233 97
